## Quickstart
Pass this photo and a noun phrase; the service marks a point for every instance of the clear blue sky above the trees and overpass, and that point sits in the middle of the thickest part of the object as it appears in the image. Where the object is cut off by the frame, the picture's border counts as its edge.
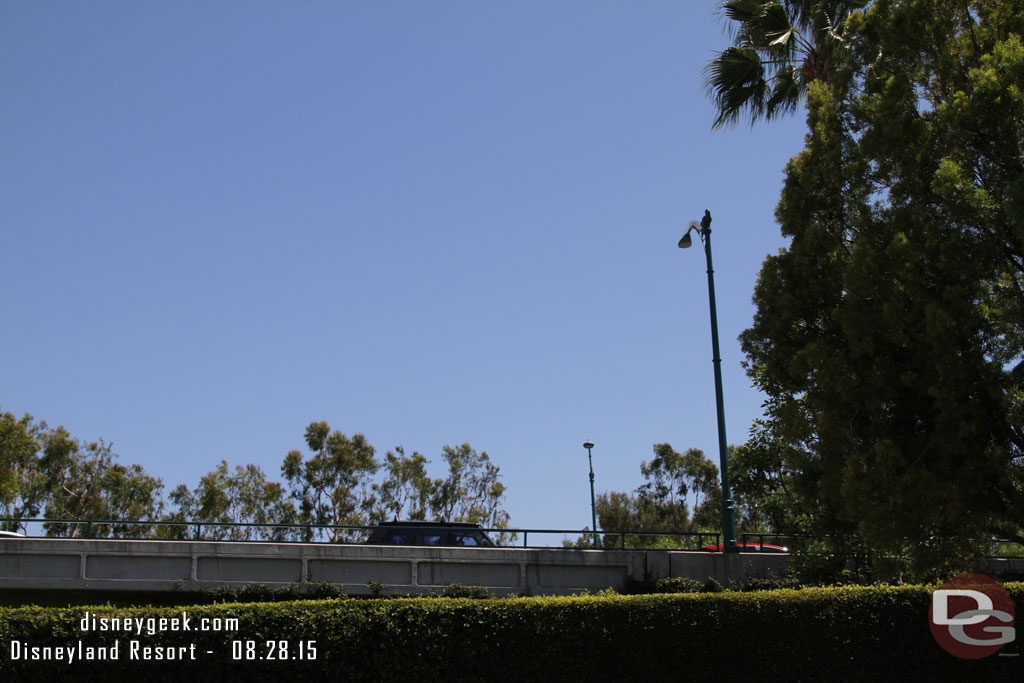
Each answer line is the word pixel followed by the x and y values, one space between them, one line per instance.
pixel 431 223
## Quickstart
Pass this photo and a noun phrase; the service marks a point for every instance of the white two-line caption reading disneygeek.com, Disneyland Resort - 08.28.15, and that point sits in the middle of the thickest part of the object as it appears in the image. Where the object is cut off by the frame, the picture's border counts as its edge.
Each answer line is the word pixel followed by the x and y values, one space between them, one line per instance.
pixel 134 648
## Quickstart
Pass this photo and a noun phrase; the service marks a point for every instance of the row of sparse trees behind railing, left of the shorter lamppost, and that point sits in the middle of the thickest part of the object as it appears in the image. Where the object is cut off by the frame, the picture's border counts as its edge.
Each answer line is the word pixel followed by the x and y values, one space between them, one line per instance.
pixel 49 474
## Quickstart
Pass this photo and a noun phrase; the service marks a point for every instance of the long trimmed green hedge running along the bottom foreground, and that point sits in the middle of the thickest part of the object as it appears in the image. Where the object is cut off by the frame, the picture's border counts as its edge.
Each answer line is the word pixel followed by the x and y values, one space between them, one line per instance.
pixel 834 634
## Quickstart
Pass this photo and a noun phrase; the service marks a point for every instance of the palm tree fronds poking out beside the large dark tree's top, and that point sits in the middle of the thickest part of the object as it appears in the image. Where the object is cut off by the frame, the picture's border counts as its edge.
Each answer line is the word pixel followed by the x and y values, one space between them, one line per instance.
pixel 780 49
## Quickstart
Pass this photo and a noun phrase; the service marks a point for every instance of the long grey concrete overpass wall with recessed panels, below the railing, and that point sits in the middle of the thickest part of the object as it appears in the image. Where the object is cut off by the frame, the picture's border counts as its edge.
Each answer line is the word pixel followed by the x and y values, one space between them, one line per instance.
pixel 58 566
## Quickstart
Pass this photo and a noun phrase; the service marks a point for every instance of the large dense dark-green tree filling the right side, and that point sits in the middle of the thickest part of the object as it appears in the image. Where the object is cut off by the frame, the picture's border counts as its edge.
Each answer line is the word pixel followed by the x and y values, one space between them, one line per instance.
pixel 888 335
